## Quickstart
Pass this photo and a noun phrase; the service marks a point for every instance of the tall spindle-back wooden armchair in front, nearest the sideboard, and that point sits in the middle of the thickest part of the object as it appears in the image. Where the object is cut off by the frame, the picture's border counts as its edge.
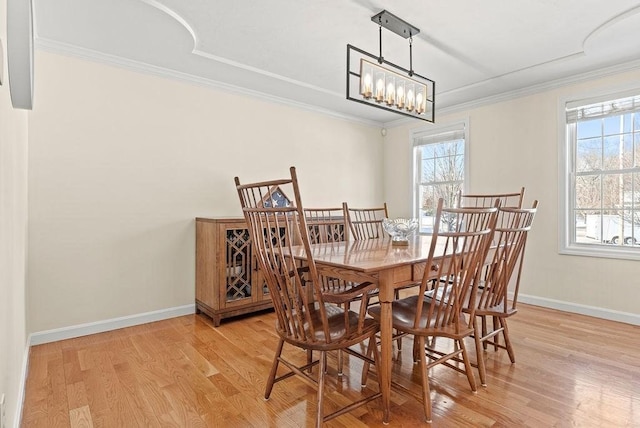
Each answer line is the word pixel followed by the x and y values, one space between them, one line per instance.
pixel 309 319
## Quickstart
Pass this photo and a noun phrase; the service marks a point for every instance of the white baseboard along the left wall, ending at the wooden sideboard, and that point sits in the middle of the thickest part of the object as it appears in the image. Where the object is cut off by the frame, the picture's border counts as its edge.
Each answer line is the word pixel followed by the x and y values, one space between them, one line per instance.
pixel 107 325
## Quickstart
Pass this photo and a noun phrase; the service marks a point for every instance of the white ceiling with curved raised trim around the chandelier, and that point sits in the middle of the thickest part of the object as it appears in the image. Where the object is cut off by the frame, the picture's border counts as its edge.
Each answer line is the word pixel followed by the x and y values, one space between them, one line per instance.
pixel 295 50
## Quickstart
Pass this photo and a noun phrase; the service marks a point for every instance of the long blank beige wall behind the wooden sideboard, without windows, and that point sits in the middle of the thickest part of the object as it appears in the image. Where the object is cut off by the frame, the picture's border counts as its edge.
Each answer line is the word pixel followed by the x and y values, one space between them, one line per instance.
pixel 122 162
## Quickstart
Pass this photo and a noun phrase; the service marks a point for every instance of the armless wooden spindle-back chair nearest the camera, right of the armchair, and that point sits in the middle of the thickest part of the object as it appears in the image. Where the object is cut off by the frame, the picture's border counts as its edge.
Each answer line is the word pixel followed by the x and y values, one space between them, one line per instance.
pixel 454 282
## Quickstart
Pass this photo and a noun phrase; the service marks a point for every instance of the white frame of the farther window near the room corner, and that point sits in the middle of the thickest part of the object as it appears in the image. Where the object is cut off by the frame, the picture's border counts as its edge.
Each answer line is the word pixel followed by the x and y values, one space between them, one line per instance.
pixel 434 132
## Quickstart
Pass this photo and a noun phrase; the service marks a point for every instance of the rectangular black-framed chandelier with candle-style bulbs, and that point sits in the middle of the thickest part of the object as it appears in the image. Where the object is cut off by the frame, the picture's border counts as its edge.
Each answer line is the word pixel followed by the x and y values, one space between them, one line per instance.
pixel 374 81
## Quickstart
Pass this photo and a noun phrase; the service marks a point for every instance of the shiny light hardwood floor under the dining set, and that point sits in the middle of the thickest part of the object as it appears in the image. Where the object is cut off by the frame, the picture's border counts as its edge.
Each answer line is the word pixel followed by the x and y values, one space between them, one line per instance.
pixel 570 370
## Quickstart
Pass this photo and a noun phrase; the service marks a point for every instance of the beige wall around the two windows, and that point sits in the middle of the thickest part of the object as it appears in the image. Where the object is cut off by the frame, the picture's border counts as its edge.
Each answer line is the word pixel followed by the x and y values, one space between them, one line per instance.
pixel 513 144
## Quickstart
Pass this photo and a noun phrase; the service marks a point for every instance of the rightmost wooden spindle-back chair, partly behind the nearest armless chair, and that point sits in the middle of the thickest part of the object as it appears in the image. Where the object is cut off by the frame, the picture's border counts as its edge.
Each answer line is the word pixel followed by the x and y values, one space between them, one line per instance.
pixel 492 301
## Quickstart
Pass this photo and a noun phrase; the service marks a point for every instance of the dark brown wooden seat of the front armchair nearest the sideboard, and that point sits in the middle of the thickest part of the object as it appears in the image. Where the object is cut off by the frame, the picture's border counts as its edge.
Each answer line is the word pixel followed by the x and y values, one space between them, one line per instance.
pixel 341 332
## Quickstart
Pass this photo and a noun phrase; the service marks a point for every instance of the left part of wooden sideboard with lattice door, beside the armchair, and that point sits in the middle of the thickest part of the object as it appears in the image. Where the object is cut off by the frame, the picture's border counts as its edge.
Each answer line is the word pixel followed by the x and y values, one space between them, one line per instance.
pixel 228 282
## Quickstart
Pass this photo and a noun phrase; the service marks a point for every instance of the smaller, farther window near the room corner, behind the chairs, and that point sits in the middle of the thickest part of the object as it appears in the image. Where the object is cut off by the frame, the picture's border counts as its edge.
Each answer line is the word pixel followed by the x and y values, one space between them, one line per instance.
pixel 439 169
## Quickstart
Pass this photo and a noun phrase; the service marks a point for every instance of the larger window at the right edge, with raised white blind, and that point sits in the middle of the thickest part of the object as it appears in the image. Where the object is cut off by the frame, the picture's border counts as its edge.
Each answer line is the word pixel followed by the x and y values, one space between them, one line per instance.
pixel 602 188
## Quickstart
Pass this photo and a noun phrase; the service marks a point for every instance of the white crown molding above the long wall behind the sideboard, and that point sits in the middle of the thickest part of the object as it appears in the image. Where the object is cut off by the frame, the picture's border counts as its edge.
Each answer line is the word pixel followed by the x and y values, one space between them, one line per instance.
pixel 141 67
